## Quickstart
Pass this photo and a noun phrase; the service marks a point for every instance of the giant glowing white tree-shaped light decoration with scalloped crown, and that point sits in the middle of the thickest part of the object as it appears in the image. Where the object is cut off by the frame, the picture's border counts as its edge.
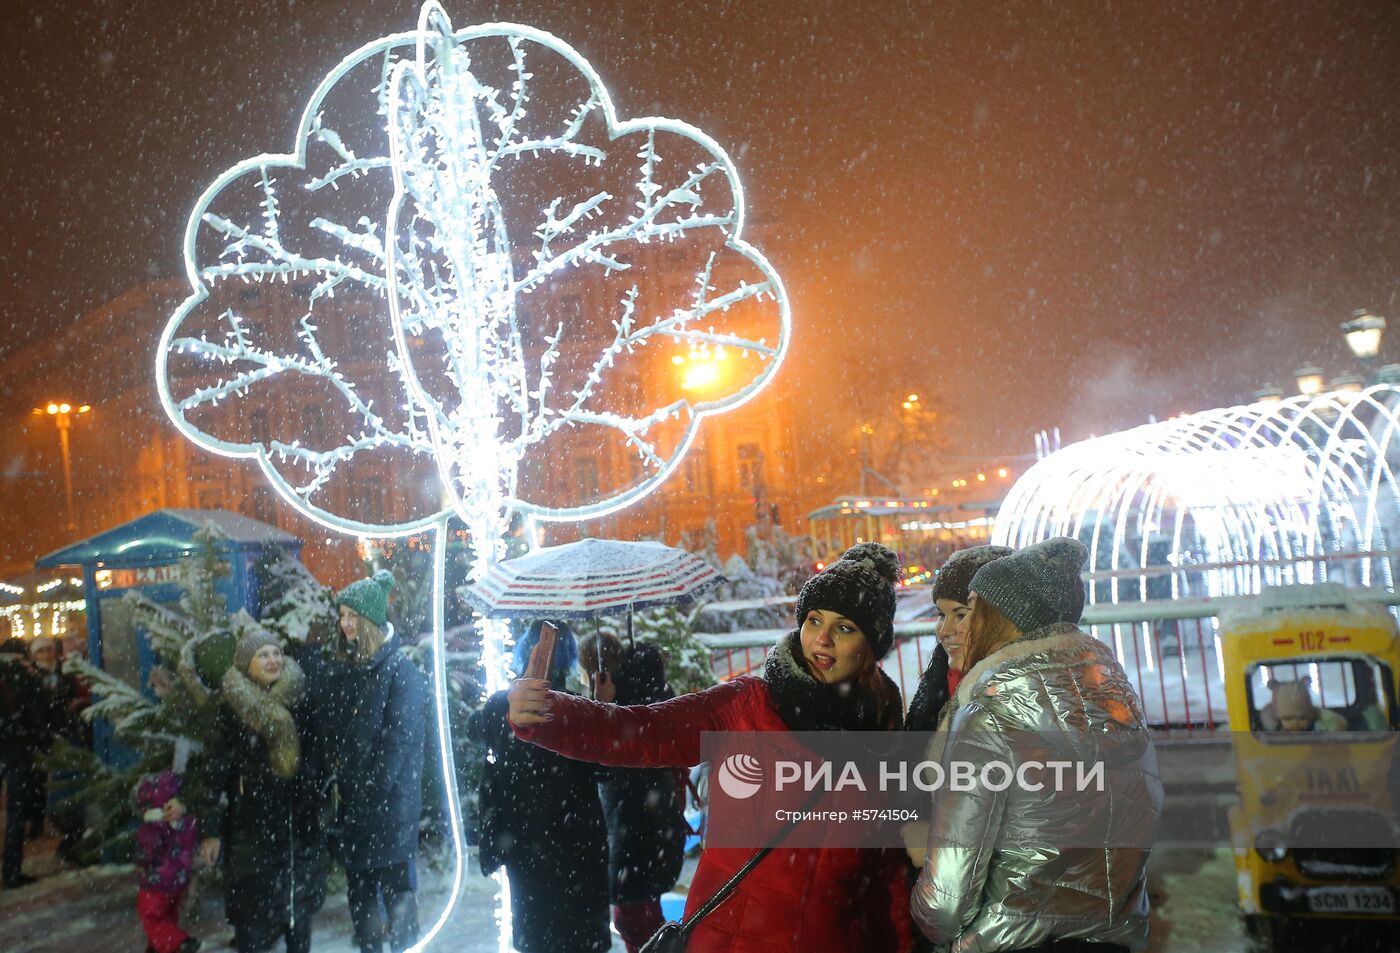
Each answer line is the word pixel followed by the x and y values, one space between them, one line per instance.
pixel 492 274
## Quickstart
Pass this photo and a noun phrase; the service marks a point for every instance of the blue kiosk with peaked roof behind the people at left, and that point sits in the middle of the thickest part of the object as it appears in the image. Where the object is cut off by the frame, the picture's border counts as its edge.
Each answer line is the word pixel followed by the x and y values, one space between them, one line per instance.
pixel 145 555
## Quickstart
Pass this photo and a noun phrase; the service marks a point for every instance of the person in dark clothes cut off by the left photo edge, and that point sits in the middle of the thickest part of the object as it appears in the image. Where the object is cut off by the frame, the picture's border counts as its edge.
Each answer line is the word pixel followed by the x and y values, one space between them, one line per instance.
pixel 24 731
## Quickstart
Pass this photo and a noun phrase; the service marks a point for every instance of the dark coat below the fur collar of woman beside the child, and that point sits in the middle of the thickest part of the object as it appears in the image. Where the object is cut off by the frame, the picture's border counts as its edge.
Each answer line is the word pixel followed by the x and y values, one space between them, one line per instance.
pixel 274 849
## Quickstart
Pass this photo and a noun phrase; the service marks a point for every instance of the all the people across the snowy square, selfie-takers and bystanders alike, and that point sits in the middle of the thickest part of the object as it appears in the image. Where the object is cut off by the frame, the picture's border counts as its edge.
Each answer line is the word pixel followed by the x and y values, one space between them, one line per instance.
pixel 321 759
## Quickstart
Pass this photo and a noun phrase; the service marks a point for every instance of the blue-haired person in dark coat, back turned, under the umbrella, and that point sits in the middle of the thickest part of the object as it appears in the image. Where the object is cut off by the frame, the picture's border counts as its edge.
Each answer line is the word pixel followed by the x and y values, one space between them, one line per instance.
pixel 542 819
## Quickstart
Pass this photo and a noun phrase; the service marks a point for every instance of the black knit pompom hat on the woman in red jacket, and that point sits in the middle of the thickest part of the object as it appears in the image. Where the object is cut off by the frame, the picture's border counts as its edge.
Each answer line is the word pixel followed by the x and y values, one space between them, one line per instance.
pixel 862 587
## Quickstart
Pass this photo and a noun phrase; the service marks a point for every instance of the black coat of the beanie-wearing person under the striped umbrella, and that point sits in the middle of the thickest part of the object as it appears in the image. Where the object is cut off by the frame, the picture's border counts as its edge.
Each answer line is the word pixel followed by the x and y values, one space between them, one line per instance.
pixel 643 807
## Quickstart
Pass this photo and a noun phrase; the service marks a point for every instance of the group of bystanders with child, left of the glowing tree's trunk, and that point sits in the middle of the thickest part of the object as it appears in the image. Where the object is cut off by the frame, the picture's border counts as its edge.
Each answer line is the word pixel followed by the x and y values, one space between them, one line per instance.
pixel 307 763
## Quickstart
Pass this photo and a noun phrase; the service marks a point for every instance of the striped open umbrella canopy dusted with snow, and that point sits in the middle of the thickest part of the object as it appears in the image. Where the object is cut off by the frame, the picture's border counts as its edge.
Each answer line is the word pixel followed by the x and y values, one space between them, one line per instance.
pixel 589 579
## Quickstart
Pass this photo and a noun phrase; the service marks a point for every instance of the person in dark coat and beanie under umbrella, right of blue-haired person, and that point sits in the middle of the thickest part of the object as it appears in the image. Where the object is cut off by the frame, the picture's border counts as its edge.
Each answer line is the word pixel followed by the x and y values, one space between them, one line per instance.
pixel 643 807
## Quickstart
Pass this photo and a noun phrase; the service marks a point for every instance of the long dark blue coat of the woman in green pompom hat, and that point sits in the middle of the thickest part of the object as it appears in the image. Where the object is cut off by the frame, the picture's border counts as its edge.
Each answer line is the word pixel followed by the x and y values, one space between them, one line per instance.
pixel 374 720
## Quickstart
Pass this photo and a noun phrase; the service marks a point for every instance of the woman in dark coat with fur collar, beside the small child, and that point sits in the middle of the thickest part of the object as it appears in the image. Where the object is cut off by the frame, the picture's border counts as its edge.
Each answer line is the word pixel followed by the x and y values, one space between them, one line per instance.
pixel 264 772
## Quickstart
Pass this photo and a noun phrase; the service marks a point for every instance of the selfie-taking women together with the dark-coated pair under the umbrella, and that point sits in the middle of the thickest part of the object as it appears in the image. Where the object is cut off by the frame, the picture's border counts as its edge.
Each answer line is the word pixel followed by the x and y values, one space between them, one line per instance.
pixel 989 870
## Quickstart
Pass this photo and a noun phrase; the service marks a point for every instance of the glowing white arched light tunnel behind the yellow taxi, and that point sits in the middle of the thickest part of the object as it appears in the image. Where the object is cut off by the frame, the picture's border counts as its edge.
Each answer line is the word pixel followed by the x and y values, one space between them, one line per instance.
pixel 1224 502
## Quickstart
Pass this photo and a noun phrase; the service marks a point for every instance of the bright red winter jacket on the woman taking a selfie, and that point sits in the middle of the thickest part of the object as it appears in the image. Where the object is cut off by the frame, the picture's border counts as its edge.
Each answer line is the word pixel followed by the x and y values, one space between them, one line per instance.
pixel 797 901
